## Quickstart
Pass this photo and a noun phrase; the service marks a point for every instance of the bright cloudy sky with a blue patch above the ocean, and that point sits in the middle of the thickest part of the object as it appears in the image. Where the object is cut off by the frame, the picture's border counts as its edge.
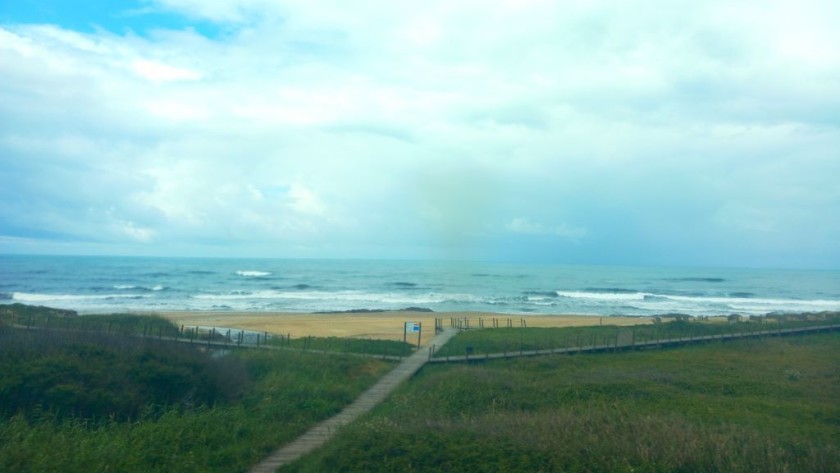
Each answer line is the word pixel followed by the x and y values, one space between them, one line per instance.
pixel 677 133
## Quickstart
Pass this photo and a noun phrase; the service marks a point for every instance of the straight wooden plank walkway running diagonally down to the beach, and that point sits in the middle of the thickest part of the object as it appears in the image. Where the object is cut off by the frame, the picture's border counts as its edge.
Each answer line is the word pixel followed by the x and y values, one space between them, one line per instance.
pixel 321 433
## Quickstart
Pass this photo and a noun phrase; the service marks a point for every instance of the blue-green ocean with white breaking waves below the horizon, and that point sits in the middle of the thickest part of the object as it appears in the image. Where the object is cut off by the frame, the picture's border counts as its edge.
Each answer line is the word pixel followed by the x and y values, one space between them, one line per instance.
pixel 114 284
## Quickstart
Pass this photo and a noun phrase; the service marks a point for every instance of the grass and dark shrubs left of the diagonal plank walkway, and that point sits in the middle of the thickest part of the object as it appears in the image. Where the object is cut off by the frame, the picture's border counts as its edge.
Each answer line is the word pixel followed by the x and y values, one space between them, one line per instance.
pixel 75 400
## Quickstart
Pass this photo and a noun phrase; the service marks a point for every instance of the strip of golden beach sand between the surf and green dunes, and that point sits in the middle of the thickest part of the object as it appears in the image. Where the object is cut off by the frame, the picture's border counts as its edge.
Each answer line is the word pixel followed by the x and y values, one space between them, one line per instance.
pixel 378 325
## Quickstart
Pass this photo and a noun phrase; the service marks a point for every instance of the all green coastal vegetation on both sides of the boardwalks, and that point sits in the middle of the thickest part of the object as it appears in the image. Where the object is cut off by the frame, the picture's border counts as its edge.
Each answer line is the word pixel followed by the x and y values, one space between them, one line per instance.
pixel 118 393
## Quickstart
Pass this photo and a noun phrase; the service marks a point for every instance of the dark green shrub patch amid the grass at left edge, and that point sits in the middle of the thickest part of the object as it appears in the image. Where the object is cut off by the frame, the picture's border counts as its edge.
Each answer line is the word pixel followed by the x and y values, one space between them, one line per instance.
pixel 94 376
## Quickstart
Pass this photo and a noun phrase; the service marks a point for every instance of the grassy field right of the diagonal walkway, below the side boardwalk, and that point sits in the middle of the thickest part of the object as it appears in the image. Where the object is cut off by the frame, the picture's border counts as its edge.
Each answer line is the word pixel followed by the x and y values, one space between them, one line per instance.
pixel 768 405
